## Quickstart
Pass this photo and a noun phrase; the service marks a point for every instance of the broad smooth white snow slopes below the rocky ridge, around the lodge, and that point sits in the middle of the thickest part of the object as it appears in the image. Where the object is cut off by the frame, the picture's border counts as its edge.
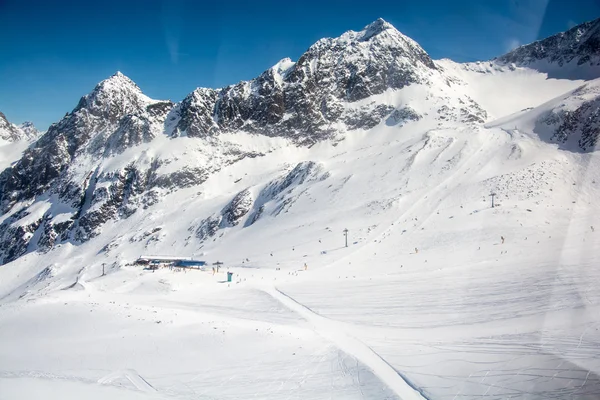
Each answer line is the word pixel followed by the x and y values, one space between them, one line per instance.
pixel 465 317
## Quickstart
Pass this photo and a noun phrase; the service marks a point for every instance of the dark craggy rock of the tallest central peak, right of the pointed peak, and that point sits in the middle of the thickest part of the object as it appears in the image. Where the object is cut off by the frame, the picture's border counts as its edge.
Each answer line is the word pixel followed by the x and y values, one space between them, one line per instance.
pixel 302 100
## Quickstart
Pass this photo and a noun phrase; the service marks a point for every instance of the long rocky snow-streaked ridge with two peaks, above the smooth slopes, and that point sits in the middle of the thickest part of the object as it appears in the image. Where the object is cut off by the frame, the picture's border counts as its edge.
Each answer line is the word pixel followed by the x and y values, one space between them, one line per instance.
pixel 103 161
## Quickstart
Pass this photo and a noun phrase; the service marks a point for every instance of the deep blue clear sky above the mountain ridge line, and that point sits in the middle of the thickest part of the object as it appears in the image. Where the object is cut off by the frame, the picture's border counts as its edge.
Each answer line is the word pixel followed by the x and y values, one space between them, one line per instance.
pixel 53 52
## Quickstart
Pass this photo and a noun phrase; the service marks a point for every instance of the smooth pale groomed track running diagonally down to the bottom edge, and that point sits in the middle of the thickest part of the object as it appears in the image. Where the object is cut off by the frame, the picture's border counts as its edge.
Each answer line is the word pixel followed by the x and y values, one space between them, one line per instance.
pixel 334 332
